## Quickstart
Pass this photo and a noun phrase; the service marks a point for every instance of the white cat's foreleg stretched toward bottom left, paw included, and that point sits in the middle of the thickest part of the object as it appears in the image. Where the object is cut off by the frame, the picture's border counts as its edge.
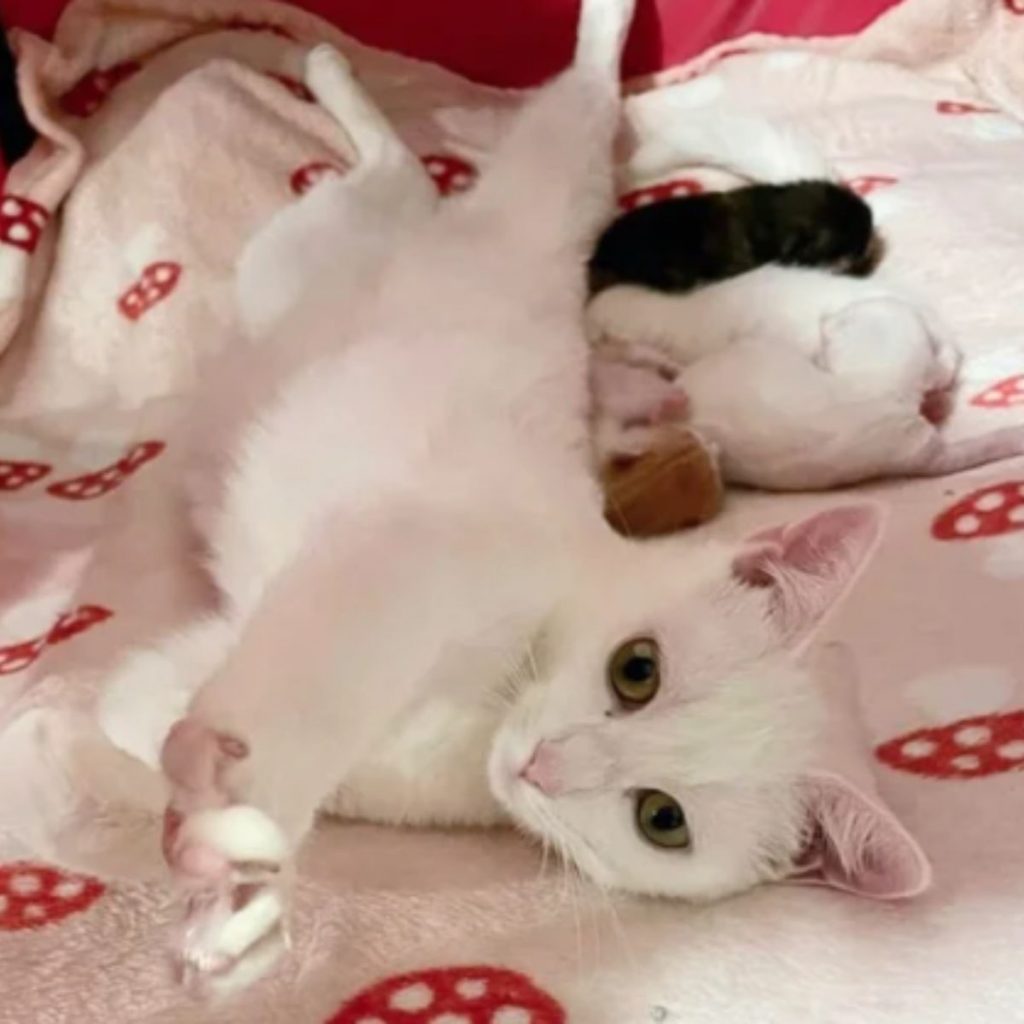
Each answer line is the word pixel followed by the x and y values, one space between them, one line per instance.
pixel 337 649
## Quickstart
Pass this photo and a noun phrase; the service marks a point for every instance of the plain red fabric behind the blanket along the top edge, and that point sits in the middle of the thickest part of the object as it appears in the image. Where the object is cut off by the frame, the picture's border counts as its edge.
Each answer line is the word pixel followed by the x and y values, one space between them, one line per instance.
pixel 520 42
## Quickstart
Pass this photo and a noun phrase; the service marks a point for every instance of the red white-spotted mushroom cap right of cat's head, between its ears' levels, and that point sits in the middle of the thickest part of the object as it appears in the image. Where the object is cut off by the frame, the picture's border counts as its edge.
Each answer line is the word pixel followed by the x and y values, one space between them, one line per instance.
pixel 972 748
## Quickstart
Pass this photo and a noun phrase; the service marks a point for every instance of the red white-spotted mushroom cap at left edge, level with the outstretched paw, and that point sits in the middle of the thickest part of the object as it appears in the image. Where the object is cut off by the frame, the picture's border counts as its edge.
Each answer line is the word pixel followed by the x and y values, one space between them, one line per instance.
pixel 36 895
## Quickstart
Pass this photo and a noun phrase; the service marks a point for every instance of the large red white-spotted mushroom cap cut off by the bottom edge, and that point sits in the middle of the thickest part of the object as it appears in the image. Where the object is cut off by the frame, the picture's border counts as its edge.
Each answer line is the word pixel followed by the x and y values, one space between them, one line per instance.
pixel 453 996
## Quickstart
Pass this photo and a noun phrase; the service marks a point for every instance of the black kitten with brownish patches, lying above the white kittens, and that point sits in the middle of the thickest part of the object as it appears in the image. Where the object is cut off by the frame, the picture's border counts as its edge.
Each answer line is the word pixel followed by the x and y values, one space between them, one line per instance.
pixel 685 242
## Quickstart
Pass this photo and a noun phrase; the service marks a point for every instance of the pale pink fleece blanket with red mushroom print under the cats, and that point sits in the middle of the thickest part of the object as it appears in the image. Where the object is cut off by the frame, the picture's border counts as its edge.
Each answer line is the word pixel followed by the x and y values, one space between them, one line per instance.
pixel 172 133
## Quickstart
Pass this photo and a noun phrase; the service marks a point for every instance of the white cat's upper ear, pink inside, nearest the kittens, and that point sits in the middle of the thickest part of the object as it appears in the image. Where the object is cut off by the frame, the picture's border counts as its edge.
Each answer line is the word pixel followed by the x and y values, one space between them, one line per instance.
pixel 810 566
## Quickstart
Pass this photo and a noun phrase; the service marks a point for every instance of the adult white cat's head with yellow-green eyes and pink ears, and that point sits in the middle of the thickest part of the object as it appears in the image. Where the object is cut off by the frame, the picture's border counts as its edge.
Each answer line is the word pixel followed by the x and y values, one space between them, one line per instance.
pixel 674 747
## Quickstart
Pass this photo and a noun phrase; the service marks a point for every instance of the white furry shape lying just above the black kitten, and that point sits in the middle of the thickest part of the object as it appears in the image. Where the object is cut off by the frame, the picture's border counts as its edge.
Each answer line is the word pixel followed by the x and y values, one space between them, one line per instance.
pixel 747 146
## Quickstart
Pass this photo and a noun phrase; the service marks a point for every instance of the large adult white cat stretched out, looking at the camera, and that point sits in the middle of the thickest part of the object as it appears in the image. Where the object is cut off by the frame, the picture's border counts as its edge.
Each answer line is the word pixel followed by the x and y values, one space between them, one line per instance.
pixel 442 624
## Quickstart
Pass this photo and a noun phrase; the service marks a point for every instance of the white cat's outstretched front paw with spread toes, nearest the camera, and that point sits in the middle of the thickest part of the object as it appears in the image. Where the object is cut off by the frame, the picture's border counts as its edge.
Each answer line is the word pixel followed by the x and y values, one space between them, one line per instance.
pixel 230 863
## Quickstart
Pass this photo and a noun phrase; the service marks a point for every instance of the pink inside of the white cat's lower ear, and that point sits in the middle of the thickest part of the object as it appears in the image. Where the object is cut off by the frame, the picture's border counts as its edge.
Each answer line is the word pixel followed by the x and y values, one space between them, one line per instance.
pixel 858 844
